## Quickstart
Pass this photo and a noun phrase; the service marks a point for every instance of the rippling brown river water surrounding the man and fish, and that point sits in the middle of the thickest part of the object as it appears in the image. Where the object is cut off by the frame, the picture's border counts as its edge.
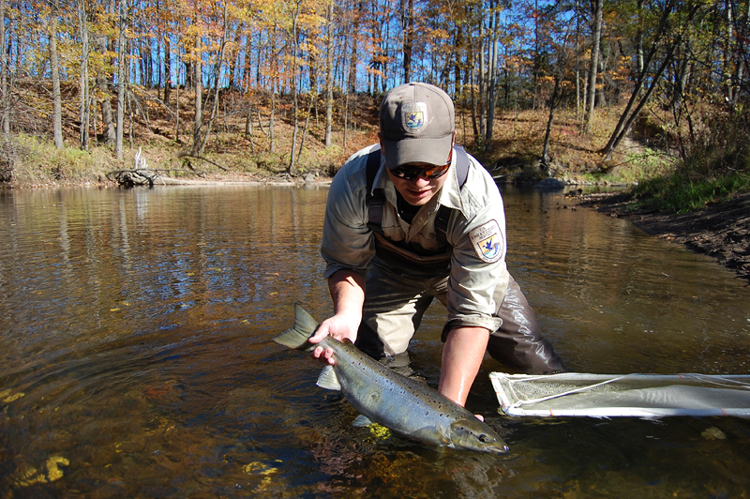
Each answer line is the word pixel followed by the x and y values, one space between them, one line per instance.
pixel 136 357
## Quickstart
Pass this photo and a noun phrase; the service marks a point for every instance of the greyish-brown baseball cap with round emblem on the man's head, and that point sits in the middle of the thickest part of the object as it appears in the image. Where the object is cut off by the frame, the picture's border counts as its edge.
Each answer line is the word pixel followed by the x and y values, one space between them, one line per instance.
pixel 417 121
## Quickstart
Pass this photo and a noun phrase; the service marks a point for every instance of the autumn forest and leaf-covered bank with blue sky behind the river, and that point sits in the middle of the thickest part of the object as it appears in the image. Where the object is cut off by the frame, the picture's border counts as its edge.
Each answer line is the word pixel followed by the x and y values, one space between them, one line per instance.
pixel 292 85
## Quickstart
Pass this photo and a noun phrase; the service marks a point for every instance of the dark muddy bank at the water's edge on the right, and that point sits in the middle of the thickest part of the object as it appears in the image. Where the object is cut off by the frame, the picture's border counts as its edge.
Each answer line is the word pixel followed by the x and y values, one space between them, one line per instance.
pixel 721 230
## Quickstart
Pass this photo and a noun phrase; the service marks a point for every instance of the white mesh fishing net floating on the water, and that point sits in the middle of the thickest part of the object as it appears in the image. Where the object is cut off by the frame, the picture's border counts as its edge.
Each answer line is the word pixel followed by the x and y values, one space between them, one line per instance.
pixel 634 395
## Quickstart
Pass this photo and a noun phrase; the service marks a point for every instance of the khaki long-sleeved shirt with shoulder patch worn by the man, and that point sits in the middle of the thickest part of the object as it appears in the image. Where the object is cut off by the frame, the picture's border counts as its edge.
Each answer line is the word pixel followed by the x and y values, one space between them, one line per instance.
pixel 476 232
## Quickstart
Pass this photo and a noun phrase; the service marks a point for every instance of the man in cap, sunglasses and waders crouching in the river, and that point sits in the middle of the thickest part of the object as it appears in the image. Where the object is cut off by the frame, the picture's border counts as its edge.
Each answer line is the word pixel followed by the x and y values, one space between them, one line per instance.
pixel 388 254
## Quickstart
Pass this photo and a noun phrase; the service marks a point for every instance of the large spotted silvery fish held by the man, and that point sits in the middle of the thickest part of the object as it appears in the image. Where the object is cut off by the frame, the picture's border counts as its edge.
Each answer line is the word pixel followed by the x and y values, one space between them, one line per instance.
pixel 406 406
